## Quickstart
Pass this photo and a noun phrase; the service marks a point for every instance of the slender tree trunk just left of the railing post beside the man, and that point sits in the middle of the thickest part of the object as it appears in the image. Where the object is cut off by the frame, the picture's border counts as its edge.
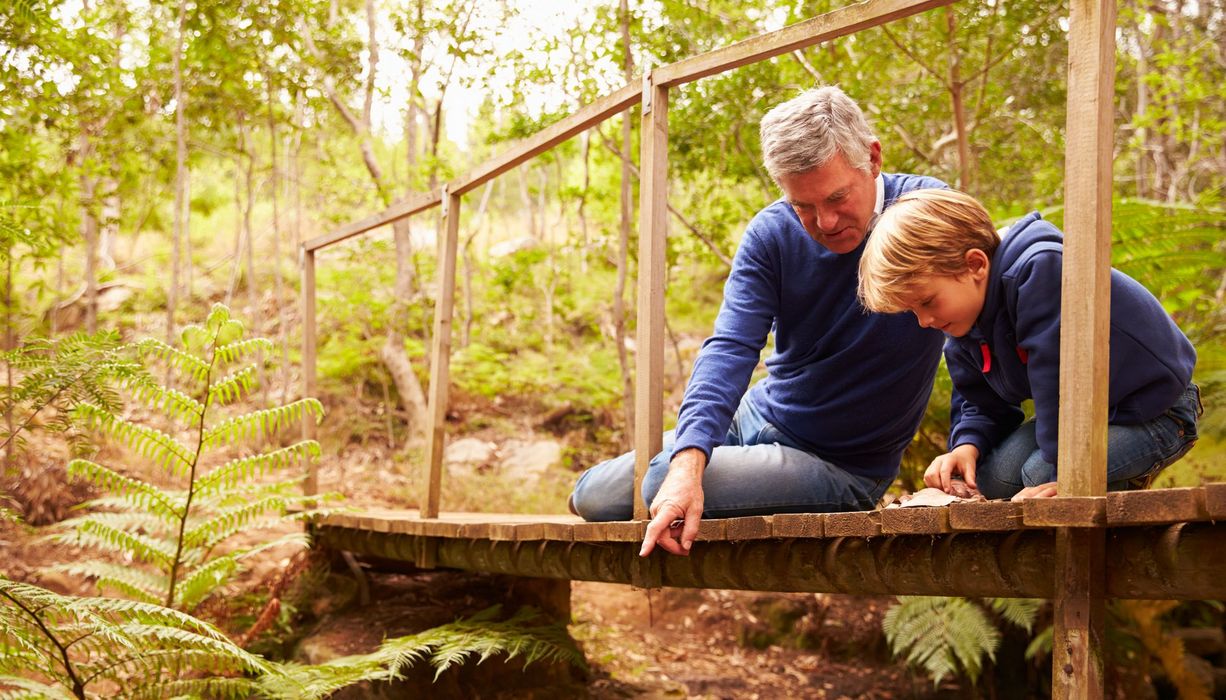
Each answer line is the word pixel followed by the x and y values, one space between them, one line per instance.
pixel 623 257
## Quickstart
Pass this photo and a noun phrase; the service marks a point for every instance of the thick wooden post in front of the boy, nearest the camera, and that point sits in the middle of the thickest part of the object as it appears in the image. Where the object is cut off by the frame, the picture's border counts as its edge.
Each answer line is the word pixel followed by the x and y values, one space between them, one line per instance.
pixel 1086 312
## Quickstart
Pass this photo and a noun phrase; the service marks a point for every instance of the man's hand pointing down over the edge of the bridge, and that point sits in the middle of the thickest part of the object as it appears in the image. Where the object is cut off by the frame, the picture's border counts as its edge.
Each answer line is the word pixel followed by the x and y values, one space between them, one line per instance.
pixel 680 498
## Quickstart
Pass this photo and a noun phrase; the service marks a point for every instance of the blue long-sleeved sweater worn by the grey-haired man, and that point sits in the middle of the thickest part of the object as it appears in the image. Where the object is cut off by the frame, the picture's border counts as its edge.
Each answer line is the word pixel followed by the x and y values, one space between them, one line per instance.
pixel 849 386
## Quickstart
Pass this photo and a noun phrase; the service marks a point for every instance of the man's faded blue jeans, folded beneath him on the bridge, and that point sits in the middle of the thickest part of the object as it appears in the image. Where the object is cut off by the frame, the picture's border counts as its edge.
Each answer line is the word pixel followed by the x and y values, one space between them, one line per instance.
pixel 757 471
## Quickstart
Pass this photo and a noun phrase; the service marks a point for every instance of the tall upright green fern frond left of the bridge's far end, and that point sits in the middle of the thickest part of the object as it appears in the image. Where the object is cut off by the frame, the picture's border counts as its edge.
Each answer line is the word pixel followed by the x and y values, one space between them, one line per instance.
pixel 176 534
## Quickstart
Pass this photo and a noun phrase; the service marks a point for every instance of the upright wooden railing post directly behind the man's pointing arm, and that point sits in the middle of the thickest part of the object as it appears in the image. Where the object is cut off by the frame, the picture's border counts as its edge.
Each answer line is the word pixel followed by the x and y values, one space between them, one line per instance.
pixel 649 409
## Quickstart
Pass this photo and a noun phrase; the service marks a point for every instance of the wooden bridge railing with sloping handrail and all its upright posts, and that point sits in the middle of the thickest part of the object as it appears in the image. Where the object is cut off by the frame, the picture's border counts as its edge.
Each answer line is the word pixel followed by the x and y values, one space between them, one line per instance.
pixel 1079 577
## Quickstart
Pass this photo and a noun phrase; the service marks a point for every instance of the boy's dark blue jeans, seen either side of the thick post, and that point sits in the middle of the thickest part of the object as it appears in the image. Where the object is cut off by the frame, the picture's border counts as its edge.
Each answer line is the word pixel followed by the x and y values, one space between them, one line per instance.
pixel 1136 454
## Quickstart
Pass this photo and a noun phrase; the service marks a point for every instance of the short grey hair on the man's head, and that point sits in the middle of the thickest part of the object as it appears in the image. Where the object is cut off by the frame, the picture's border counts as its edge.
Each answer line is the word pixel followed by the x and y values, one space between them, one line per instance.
pixel 806 132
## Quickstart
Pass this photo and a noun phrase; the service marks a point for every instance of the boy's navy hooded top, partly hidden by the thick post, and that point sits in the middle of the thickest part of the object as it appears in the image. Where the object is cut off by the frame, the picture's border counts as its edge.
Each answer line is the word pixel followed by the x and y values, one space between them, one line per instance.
pixel 1019 334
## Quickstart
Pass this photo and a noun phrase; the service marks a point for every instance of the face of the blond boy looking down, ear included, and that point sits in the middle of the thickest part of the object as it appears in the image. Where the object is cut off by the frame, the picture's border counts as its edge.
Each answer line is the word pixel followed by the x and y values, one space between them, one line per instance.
pixel 951 305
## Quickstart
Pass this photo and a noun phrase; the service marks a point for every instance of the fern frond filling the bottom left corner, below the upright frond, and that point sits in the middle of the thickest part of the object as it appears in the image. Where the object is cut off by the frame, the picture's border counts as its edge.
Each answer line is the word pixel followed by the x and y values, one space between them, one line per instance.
pixel 107 648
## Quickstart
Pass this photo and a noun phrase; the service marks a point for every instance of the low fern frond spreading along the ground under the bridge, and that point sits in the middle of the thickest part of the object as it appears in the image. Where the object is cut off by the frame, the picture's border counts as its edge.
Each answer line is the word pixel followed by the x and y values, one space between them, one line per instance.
pixel 482 636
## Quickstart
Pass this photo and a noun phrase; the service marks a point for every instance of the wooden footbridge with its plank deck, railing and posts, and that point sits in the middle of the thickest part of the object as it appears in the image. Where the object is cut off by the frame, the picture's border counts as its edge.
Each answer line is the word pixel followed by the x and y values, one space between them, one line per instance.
pixel 1077 550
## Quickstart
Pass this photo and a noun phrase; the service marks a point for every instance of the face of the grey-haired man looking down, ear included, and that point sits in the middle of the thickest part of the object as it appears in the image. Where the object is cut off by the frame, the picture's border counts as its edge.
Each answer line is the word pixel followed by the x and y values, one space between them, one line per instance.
pixel 836 202
